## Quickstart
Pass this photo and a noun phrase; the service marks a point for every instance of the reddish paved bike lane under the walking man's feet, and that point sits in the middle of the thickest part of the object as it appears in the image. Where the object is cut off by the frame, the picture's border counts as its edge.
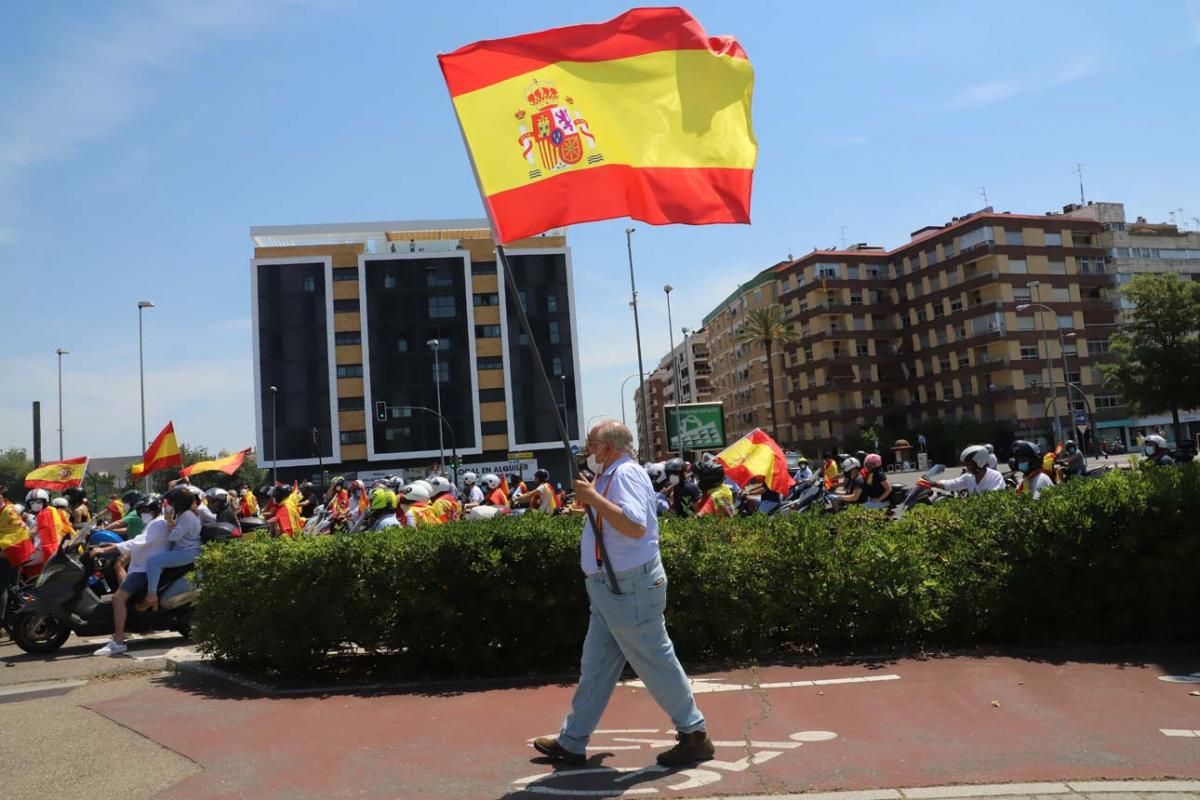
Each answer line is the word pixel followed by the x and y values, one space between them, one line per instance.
pixel 823 727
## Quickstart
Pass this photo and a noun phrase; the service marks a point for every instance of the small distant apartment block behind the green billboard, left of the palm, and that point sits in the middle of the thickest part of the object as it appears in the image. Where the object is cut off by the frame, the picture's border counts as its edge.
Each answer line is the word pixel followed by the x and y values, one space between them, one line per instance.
pixel 692 358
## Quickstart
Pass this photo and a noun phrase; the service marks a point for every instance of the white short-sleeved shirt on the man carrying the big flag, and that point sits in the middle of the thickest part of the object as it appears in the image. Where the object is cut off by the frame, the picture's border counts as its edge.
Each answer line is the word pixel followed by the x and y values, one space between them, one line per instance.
pixel 627 485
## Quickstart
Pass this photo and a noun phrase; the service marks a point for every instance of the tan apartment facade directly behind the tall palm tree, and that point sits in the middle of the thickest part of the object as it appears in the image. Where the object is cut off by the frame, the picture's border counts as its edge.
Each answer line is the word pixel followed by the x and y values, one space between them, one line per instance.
pixel 740 371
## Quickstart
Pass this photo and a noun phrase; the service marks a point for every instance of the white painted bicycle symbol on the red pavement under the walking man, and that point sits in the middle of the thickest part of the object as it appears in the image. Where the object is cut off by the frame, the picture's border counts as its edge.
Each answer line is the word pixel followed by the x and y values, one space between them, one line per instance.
pixel 617 781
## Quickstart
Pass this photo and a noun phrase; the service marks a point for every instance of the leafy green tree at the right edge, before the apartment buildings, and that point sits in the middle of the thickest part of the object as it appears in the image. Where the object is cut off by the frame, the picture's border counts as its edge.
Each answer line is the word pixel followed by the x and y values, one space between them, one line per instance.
pixel 1159 348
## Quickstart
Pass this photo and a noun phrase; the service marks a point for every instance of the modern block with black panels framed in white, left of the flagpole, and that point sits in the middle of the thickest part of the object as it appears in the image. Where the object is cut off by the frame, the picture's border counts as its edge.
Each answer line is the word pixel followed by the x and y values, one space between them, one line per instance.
pixel 358 326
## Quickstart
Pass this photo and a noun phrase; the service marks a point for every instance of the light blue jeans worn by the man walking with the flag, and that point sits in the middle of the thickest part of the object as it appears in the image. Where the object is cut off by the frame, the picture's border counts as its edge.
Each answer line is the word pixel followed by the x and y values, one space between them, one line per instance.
pixel 628 627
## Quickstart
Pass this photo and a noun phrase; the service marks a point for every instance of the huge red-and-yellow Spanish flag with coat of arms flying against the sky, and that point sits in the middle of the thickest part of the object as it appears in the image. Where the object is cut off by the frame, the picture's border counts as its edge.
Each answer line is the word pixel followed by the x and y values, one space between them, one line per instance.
pixel 644 116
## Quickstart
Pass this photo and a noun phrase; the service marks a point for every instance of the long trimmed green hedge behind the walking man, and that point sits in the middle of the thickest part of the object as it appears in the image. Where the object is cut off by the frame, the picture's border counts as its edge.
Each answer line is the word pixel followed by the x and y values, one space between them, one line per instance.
pixel 1115 560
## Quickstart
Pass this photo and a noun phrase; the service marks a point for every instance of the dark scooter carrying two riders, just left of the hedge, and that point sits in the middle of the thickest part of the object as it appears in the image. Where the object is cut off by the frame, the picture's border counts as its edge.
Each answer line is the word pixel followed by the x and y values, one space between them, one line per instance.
pixel 63 603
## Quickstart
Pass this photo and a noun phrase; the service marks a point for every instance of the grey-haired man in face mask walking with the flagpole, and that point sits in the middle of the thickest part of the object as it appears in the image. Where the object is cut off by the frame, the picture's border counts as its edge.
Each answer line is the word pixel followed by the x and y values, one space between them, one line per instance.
pixel 628 625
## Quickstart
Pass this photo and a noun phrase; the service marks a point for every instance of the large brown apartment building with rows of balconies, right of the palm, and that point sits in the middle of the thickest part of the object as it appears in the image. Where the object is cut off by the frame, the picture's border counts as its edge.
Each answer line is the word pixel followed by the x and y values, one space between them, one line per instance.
pixel 944 327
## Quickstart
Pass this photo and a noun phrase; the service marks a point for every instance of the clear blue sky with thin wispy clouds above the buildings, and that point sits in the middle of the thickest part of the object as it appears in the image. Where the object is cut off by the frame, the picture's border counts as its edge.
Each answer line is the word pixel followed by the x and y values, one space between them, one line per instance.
pixel 140 142
